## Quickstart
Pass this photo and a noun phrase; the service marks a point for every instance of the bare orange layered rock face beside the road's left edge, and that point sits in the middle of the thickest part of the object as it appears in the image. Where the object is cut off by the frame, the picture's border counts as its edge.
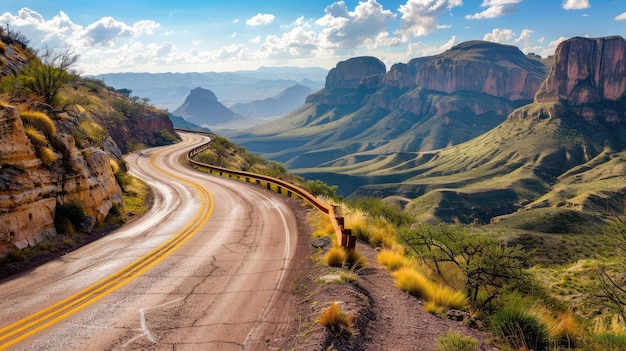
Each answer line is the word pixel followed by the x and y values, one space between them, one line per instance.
pixel 30 190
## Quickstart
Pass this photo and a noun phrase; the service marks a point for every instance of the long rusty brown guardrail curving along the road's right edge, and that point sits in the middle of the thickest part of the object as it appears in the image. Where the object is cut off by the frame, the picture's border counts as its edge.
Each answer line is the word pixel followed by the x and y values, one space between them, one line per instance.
pixel 344 235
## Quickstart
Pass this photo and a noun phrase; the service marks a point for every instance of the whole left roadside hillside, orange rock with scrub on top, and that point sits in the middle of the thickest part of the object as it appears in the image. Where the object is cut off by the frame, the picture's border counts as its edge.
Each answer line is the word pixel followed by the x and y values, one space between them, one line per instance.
pixel 57 160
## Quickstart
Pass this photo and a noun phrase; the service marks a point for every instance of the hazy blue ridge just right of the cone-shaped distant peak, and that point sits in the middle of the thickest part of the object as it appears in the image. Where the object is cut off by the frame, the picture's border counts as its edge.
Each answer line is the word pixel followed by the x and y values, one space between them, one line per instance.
pixel 287 101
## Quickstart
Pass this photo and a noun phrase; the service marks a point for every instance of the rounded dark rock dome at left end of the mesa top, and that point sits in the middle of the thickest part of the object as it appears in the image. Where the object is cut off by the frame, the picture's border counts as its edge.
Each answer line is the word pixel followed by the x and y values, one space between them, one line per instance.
pixel 352 73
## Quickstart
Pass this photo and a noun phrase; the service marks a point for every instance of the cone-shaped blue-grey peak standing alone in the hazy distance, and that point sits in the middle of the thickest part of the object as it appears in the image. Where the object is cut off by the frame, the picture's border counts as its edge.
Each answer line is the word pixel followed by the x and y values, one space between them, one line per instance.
pixel 202 108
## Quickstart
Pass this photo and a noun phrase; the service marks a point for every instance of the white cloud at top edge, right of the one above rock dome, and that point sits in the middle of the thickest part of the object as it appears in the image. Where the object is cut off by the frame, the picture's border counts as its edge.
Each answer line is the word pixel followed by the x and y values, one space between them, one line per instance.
pixel 419 17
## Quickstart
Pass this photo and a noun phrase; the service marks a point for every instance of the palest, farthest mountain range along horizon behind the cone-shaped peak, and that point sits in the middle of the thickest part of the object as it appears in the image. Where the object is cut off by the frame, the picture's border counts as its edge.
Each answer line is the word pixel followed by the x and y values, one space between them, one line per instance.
pixel 168 90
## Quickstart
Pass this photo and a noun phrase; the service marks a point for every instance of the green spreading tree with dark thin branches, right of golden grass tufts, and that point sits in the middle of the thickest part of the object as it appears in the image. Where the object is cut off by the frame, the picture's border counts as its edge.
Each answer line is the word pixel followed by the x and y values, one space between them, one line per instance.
pixel 488 266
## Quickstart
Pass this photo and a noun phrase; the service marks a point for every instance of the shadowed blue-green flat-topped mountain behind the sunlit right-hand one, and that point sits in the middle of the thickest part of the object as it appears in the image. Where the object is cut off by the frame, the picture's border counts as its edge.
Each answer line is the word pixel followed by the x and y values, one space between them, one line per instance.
pixel 428 103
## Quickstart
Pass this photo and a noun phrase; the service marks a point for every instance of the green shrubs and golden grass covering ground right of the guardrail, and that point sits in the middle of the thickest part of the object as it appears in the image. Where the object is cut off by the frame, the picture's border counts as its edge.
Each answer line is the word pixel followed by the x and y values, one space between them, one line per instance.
pixel 531 290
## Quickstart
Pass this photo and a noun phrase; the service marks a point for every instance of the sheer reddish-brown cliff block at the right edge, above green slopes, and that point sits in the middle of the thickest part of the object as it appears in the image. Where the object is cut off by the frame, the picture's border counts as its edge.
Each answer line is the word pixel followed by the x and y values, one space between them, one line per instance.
pixel 586 71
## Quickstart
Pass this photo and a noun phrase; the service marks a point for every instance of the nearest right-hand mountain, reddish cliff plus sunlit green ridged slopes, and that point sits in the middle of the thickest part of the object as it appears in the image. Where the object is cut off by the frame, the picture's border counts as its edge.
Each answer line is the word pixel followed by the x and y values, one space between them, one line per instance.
pixel 559 157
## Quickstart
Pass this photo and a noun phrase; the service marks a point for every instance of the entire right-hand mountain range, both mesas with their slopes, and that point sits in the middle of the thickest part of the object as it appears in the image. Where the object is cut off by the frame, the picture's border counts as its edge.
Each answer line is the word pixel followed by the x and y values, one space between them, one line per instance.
pixel 480 133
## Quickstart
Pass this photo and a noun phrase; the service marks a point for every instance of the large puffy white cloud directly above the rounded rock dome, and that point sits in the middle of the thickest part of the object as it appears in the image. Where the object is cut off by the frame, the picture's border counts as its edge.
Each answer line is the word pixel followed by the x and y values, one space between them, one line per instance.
pixel 346 29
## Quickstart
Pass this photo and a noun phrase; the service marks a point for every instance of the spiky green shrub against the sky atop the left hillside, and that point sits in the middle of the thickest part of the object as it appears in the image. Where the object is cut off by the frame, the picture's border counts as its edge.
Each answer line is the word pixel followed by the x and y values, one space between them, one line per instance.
pixel 48 73
